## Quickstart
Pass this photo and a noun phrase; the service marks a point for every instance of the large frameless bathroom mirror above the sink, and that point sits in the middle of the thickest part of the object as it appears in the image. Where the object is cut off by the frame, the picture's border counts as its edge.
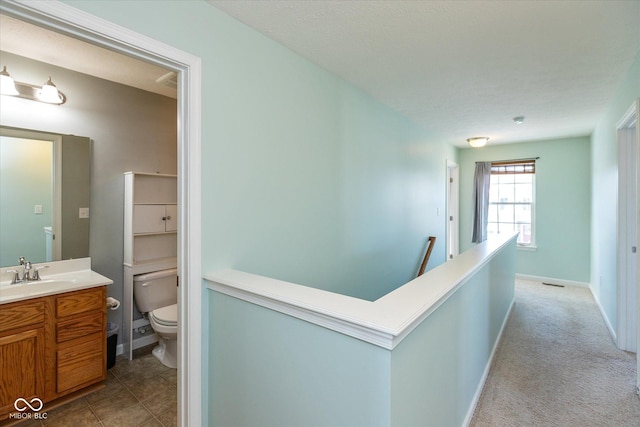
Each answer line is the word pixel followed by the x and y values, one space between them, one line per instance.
pixel 44 196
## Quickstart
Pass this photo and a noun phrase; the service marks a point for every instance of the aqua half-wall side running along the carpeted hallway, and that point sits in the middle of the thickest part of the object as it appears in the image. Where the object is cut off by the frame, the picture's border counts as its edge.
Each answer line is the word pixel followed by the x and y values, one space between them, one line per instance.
pixel 437 369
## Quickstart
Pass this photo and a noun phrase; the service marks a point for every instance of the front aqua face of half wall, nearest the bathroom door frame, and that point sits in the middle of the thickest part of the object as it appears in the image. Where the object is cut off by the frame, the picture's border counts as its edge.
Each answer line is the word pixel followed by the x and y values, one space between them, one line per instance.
pixel 270 369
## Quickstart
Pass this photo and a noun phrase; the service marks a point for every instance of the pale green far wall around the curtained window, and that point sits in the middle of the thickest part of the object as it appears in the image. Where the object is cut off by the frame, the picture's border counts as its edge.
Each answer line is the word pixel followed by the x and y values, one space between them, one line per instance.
pixel 563 205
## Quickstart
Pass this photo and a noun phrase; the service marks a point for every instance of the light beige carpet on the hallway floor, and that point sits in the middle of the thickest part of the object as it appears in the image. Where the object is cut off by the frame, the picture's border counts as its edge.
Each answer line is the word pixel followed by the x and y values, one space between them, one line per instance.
pixel 558 366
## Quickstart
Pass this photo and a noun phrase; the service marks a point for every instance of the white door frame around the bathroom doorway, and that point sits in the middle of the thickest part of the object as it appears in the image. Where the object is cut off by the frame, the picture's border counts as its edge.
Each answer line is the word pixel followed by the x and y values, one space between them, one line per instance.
pixel 84 26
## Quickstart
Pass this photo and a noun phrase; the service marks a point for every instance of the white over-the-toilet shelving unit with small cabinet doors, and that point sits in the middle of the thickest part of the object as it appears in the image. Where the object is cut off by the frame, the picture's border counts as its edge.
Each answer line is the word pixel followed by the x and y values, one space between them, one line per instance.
pixel 150 240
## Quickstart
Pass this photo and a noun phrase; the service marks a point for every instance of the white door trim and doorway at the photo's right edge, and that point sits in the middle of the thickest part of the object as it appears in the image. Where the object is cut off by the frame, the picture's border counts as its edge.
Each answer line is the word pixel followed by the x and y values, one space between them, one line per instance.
pixel 627 290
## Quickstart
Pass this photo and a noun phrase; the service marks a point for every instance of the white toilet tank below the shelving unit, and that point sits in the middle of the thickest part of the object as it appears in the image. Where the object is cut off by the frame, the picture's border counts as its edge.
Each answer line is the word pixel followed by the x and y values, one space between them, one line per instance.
pixel 155 290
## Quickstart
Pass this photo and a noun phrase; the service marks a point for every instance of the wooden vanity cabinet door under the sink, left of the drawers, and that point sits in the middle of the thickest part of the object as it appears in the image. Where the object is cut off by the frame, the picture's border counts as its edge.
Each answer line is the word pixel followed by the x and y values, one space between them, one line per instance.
pixel 22 368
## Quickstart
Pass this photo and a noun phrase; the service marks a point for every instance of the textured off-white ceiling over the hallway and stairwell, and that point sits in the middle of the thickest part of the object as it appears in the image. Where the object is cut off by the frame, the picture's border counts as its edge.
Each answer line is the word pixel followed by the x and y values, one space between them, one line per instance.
pixel 466 68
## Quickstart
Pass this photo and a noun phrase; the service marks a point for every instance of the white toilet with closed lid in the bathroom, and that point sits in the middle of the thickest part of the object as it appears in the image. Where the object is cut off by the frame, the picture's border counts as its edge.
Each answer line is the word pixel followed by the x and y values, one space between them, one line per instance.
pixel 156 294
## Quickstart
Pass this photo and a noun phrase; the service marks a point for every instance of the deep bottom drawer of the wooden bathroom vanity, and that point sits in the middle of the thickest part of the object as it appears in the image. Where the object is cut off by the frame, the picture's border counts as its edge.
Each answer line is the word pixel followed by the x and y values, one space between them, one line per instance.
pixel 81 363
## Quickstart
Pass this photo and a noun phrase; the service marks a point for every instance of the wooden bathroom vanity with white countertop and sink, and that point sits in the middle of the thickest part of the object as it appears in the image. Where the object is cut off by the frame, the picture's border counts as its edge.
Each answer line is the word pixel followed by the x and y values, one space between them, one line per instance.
pixel 52 336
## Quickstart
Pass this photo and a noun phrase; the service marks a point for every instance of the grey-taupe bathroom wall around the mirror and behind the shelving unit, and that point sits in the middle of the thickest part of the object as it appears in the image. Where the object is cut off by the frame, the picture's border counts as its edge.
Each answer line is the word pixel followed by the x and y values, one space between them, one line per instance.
pixel 130 129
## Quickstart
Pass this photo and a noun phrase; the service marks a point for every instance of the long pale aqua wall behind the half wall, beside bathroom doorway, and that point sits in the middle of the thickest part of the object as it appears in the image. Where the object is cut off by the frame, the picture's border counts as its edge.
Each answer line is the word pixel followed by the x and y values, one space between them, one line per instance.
pixel 305 178
